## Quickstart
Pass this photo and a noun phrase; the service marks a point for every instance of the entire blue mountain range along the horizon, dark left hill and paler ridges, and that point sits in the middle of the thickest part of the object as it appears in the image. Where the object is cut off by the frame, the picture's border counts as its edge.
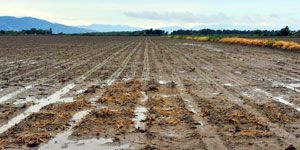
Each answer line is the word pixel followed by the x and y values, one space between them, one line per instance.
pixel 17 24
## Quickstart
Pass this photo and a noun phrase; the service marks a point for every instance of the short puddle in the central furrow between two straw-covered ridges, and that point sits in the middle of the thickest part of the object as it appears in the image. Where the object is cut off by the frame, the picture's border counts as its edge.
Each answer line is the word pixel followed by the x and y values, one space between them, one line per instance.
pixel 140 115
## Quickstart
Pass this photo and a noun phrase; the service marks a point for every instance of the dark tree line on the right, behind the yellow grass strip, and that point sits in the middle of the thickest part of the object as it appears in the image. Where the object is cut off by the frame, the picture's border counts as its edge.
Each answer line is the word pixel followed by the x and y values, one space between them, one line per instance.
pixel 283 32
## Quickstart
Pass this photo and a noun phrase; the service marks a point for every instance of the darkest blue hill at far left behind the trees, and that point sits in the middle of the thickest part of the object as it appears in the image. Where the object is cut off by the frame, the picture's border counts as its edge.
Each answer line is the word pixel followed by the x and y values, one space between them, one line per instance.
pixel 17 24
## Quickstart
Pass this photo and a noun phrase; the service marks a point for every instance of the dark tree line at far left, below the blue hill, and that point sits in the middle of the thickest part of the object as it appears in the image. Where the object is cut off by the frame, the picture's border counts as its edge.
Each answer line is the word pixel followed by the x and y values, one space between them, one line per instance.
pixel 32 31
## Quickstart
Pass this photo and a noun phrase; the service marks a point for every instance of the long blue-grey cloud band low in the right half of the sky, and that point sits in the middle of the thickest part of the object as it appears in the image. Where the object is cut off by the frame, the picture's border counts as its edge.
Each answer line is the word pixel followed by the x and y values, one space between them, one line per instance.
pixel 218 18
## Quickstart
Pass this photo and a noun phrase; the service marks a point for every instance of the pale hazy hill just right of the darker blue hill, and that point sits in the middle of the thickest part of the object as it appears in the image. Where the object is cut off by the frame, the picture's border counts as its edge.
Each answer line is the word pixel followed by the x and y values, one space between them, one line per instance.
pixel 110 28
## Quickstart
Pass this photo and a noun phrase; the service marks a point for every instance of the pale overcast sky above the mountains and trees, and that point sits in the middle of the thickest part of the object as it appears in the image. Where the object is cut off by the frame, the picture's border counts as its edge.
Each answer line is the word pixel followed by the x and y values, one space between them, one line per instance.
pixel 157 13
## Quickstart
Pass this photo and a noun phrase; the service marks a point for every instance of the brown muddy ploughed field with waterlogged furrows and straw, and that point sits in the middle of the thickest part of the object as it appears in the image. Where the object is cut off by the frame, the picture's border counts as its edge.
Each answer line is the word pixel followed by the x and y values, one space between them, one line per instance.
pixel 146 93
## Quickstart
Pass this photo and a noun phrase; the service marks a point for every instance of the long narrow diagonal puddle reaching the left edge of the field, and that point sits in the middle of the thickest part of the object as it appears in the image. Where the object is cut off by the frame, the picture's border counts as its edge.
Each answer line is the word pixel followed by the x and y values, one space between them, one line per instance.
pixel 36 108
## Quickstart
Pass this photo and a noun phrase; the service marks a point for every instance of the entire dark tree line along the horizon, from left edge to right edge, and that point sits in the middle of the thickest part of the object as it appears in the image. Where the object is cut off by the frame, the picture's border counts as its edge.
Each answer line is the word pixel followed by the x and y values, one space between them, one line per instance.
pixel 157 32
